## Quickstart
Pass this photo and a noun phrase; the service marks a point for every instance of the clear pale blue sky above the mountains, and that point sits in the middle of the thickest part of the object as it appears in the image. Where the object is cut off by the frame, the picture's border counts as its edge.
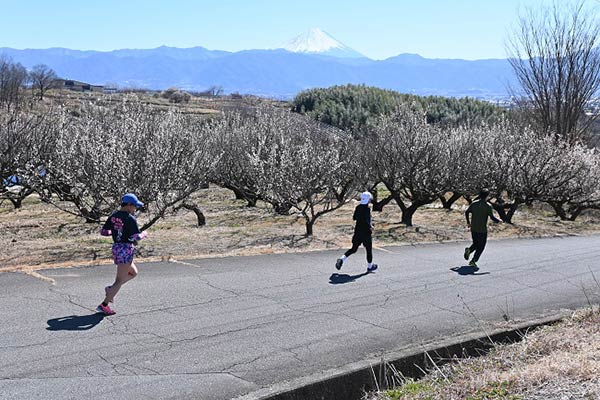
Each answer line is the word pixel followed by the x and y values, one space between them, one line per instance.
pixel 469 29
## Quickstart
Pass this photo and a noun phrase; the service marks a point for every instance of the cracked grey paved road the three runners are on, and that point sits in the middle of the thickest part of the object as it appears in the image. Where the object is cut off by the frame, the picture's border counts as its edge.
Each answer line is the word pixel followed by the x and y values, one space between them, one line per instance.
pixel 221 328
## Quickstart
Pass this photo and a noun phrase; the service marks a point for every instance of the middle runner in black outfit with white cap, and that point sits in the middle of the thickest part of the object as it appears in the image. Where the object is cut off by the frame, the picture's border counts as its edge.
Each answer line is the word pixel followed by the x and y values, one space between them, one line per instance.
pixel 362 233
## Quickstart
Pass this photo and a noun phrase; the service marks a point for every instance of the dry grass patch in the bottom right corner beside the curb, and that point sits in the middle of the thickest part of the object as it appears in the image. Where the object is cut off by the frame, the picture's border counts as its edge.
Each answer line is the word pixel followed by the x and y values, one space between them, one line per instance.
pixel 555 362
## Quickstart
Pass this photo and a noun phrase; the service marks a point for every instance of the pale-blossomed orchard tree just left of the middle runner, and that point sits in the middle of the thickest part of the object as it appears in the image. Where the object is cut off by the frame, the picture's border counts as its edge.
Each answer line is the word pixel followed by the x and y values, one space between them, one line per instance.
pixel 303 164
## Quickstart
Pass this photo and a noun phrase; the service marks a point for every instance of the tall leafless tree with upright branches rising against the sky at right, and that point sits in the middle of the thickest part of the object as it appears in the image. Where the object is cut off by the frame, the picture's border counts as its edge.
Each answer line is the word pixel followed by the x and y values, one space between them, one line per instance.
pixel 554 54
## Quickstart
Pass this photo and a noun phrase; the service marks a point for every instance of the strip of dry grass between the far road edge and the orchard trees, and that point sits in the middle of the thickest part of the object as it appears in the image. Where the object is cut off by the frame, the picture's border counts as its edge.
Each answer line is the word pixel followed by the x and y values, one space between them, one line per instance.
pixel 39 235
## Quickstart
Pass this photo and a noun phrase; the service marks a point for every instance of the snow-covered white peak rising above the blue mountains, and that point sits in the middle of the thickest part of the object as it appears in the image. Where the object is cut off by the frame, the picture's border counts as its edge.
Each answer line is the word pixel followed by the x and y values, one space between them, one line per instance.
pixel 316 41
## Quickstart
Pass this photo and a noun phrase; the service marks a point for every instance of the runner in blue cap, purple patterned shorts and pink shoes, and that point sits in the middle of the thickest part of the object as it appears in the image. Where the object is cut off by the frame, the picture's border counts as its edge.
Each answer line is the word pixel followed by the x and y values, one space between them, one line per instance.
pixel 123 228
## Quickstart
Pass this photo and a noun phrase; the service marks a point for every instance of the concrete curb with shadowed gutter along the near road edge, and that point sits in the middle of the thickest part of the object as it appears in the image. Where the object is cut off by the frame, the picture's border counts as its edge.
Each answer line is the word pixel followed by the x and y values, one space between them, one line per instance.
pixel 354 380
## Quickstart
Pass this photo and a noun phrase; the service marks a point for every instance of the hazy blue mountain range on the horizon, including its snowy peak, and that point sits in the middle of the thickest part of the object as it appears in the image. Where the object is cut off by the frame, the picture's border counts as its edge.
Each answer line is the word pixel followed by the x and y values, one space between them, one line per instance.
pixel 313 59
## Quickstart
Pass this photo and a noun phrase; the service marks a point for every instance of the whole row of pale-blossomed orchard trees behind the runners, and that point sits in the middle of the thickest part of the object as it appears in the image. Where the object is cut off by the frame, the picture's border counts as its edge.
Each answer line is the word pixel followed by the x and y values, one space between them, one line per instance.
pixel 288 160
